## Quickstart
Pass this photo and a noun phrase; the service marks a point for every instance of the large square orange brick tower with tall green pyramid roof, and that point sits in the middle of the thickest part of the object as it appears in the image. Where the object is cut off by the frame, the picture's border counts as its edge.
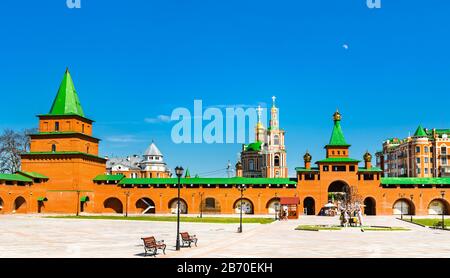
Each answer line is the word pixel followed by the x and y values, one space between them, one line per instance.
pixel 64 149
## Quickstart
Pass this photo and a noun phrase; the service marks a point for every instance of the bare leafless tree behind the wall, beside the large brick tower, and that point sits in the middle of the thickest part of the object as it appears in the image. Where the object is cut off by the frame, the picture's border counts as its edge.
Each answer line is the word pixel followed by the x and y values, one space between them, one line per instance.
pixel 12 144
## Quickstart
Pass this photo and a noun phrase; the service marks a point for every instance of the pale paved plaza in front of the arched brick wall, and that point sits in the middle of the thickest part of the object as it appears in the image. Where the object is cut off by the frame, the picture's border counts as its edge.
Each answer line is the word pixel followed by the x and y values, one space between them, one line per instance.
pixel 34 236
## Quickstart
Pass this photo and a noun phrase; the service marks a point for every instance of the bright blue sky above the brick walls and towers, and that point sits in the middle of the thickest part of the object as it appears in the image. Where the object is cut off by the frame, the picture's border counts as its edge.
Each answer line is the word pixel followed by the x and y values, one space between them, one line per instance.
pixel 135 60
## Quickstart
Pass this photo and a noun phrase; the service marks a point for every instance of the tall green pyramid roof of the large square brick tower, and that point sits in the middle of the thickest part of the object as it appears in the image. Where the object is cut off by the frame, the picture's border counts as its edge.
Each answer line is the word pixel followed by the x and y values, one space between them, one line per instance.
pixel 66 101
